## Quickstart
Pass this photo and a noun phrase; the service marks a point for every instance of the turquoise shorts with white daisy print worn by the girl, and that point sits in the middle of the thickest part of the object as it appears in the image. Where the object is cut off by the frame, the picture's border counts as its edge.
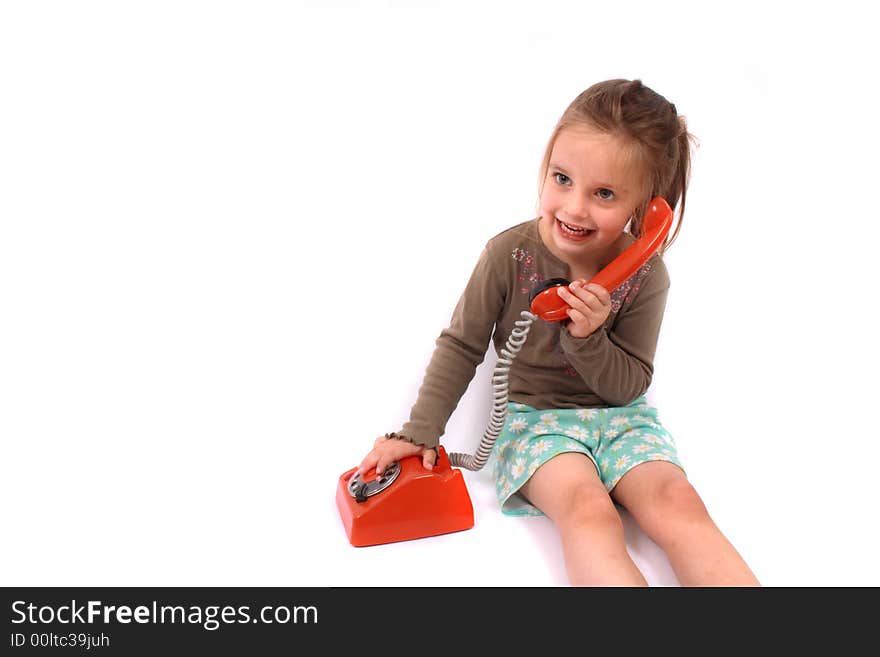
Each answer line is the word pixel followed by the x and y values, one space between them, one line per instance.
pixel 614 439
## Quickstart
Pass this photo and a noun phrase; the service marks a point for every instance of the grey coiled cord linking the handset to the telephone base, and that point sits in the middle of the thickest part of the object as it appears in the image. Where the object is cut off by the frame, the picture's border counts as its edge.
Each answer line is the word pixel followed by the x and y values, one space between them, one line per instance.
pixel 500 388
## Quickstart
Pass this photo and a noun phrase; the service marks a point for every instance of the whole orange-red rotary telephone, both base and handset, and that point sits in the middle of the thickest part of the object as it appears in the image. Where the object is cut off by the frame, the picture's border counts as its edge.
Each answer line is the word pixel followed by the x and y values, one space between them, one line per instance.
pixel 407 501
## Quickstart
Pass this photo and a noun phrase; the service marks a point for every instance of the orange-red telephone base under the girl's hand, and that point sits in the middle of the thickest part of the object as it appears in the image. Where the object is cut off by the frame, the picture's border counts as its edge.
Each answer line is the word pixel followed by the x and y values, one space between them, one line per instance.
pixel 419 503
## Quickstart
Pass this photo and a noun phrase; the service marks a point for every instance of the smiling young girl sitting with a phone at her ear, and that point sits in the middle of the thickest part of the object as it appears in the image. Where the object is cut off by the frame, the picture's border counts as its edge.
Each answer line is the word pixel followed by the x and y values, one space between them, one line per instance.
pixel 580 435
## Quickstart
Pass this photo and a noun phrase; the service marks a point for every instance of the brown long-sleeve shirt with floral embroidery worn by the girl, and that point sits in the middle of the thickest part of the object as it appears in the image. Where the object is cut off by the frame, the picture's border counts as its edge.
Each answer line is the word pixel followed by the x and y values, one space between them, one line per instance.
pixel 610 367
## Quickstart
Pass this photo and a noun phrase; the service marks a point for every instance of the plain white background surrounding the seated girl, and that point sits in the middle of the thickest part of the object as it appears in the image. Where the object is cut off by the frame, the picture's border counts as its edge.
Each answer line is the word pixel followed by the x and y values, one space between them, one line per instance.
pixel 231 231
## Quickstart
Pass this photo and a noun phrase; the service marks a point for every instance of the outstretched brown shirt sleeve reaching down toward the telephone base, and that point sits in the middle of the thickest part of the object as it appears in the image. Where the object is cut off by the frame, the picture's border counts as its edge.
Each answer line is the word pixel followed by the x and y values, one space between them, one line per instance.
pixel 459 349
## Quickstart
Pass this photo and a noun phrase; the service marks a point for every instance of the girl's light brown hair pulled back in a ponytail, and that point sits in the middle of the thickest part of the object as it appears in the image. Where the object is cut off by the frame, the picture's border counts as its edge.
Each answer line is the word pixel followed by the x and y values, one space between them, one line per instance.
pixel 647 122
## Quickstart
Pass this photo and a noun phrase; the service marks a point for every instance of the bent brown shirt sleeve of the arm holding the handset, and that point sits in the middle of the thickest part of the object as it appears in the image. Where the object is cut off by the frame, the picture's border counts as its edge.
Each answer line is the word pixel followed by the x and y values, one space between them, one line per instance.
pixel 617 361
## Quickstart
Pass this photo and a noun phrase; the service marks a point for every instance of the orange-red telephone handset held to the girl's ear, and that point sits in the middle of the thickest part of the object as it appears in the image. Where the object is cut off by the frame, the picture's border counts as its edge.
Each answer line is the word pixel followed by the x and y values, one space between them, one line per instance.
pixel 545 301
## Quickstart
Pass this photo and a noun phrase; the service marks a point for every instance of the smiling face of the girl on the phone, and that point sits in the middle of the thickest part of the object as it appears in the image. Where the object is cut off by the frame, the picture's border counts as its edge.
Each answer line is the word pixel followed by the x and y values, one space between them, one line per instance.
pixel 589 194
